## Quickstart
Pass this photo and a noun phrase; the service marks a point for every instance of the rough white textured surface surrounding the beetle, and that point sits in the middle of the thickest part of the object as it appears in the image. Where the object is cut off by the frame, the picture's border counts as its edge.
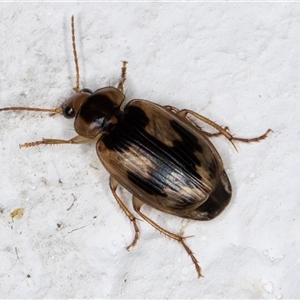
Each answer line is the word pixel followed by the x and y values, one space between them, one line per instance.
pixel 236 63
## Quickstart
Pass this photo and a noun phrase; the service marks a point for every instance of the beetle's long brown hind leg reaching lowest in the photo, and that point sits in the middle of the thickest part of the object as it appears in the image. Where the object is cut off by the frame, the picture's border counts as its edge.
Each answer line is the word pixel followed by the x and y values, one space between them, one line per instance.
pixel 137 204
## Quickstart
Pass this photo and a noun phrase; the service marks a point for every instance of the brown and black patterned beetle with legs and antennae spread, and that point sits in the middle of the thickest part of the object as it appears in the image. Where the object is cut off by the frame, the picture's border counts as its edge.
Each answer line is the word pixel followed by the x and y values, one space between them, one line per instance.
pixel 157 153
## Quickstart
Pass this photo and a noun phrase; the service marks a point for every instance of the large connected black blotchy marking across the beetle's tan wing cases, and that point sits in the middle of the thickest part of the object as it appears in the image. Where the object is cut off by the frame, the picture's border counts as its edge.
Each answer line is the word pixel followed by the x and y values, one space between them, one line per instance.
pixel 130 132
